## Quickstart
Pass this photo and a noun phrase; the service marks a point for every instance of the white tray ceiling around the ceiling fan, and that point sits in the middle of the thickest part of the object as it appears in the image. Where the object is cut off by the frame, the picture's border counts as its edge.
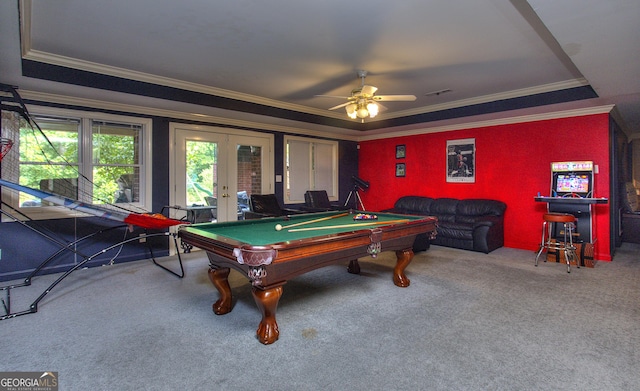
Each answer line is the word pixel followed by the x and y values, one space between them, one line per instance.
pixel 282 53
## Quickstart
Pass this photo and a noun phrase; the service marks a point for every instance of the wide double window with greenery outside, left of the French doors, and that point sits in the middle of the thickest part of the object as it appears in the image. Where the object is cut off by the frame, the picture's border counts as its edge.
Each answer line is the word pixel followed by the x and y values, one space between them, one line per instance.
pixel 94 158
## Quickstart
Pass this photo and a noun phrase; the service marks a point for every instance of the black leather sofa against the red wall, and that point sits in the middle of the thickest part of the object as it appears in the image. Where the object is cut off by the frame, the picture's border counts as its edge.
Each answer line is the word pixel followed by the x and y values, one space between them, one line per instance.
pixel 471 224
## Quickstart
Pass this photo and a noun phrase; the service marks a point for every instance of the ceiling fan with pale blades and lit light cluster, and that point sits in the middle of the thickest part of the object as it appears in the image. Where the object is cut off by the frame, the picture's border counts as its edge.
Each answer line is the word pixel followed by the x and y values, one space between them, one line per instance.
pixel 363 101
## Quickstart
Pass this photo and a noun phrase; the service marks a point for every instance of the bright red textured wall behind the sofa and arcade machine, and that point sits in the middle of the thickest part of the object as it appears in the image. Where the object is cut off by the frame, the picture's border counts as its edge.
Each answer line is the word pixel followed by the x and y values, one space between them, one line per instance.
pixel 512 165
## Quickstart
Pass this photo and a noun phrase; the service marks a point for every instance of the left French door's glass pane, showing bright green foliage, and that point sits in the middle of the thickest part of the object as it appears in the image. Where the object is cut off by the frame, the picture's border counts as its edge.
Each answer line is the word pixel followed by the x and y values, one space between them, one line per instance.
pixel 202 177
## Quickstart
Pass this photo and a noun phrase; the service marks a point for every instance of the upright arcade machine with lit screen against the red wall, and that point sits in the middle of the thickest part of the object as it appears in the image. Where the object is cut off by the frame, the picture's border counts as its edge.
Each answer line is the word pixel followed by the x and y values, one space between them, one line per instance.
pixel 572 192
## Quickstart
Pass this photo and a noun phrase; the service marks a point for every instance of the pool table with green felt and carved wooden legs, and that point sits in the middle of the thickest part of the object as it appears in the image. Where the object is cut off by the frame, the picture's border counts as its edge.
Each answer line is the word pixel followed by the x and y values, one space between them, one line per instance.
pixel 271 251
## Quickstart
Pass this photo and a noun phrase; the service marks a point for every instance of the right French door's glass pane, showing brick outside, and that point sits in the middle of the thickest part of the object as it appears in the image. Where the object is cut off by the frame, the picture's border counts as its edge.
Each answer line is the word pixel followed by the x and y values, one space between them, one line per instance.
pixel 249 164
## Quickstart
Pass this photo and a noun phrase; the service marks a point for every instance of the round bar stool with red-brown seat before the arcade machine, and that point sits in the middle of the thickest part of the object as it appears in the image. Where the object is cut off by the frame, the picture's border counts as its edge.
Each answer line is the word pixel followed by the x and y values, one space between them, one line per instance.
pixel 549 242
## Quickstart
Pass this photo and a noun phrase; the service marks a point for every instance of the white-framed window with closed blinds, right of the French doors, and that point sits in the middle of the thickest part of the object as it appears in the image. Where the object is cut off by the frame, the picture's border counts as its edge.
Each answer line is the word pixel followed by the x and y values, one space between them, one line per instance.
pixel 310 164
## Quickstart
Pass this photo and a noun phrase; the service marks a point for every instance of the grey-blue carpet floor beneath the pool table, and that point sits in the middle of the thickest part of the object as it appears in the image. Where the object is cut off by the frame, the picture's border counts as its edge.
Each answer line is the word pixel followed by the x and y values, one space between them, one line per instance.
pixel 468 321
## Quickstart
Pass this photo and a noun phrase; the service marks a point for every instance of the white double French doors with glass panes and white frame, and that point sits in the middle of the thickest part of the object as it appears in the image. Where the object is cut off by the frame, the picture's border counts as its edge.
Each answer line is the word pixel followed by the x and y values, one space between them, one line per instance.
pixel 214 171
